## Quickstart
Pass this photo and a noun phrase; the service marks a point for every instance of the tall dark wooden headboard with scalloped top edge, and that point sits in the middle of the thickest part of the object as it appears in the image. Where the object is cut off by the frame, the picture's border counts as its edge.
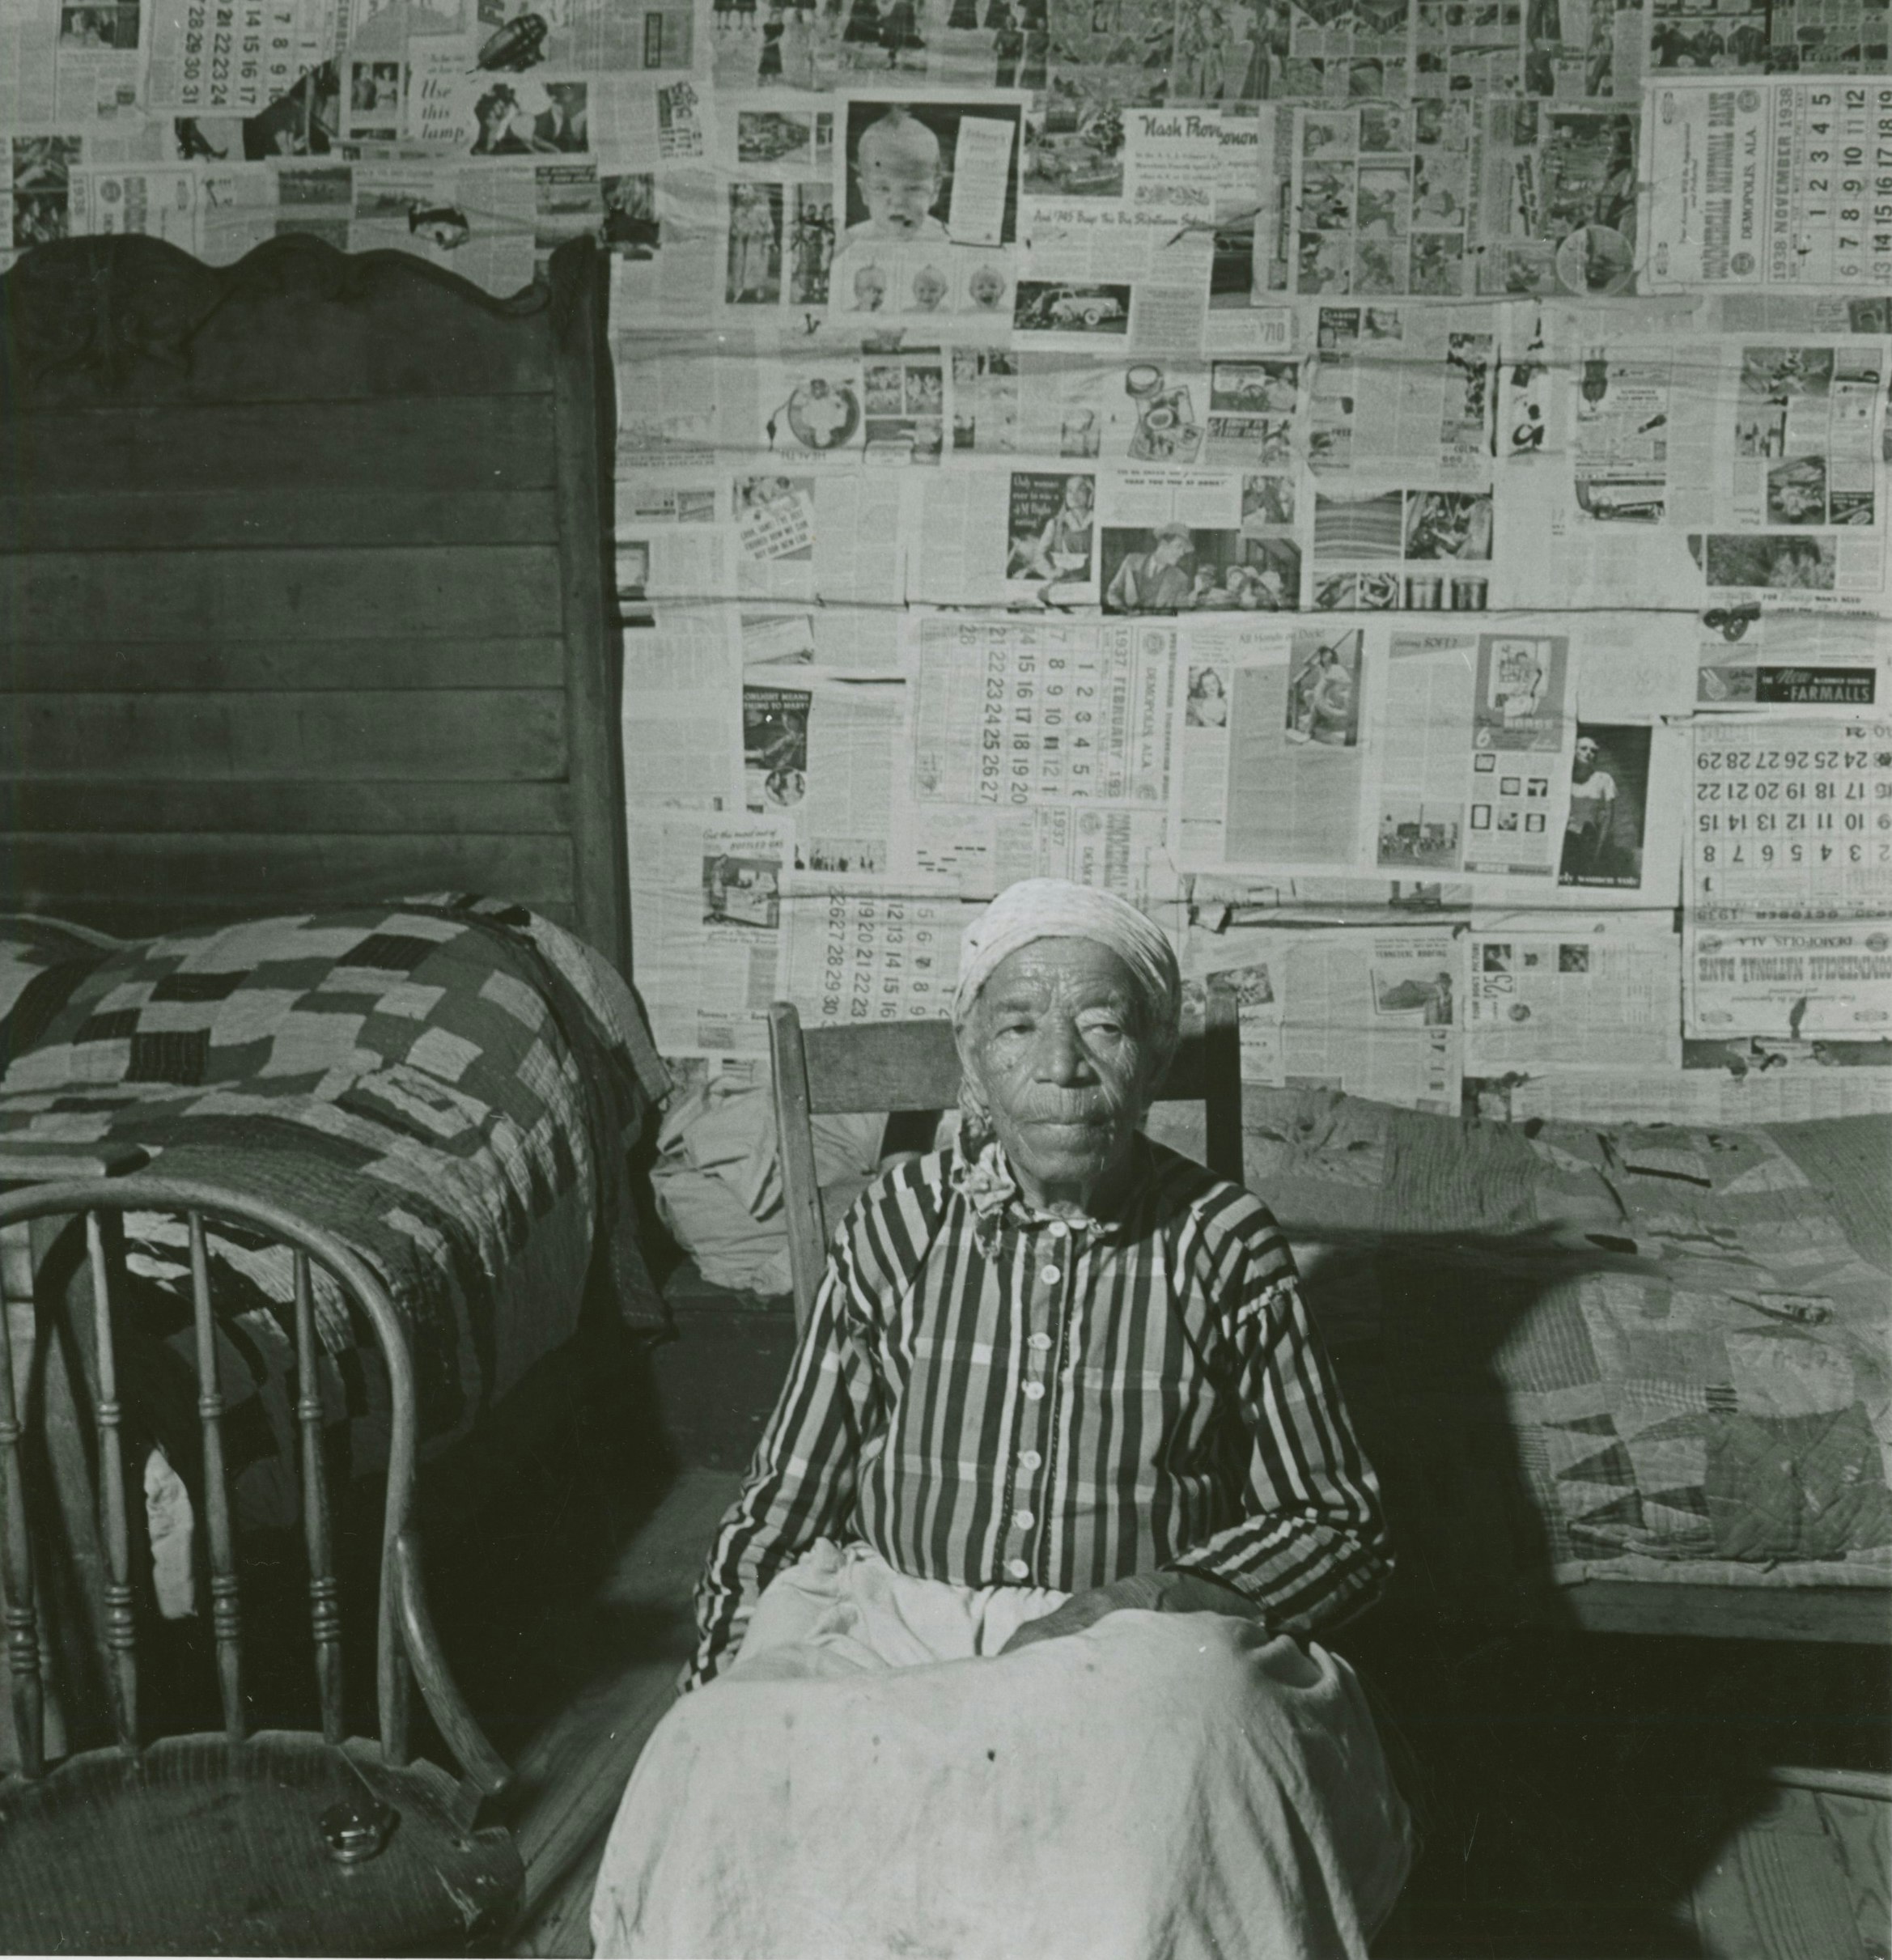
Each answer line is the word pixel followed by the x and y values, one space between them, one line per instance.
pixel 305 587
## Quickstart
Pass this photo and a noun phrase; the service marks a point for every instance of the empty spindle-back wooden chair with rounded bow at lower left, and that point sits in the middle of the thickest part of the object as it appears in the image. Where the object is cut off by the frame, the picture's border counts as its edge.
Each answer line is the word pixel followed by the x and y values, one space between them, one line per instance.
pixel 236 1841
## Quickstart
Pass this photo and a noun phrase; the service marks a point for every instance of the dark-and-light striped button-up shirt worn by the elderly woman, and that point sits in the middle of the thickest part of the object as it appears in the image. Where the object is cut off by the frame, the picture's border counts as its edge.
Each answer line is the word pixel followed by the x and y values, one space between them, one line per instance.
pixel 987 1396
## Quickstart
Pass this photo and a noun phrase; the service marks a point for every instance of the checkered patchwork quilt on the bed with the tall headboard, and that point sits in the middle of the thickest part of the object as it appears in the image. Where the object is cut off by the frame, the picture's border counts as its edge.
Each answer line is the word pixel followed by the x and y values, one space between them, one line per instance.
pixel 450 1085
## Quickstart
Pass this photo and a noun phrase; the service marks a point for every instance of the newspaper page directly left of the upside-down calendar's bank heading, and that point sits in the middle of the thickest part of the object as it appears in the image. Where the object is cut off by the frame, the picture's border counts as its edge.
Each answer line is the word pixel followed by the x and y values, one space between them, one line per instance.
pixel 1571 995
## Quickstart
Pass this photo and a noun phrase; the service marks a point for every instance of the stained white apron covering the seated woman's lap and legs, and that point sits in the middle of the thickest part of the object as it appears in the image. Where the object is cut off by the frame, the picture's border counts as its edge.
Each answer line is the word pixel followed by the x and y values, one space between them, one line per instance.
pixel 870 1781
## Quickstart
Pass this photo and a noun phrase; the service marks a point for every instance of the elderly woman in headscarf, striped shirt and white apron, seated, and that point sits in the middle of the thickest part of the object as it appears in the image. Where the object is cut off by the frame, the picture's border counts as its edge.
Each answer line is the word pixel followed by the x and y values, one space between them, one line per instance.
pixel 1009 1643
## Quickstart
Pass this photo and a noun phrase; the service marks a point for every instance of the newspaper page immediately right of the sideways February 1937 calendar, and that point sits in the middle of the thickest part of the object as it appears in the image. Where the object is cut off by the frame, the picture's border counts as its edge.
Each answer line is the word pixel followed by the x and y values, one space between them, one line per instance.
pixel 1271 763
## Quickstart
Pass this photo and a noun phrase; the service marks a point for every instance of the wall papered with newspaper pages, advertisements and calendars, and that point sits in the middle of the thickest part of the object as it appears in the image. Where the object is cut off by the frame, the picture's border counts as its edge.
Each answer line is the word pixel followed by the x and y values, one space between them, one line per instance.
pixel 1397 489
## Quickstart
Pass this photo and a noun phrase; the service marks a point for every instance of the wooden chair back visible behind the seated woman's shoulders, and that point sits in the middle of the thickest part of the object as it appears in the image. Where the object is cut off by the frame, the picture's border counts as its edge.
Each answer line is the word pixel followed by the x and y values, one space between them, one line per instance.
pixel 903 1067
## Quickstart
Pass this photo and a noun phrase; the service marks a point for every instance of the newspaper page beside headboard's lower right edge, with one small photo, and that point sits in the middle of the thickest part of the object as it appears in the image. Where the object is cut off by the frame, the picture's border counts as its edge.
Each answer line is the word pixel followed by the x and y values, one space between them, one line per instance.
pixel 709 905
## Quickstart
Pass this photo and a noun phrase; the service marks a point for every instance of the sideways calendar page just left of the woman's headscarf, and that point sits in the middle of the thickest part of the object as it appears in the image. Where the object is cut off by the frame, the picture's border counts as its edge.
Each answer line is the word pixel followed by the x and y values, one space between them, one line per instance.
pixel 858 952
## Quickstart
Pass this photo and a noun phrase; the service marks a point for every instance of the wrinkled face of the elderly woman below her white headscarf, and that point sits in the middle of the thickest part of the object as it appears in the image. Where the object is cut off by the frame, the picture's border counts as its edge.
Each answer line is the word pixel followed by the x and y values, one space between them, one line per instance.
pixel 1058 1052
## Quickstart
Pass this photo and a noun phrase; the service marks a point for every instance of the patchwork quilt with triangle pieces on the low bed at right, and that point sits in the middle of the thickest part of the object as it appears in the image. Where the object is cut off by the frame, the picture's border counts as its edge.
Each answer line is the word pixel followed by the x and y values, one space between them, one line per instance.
pixel 1577 1353
